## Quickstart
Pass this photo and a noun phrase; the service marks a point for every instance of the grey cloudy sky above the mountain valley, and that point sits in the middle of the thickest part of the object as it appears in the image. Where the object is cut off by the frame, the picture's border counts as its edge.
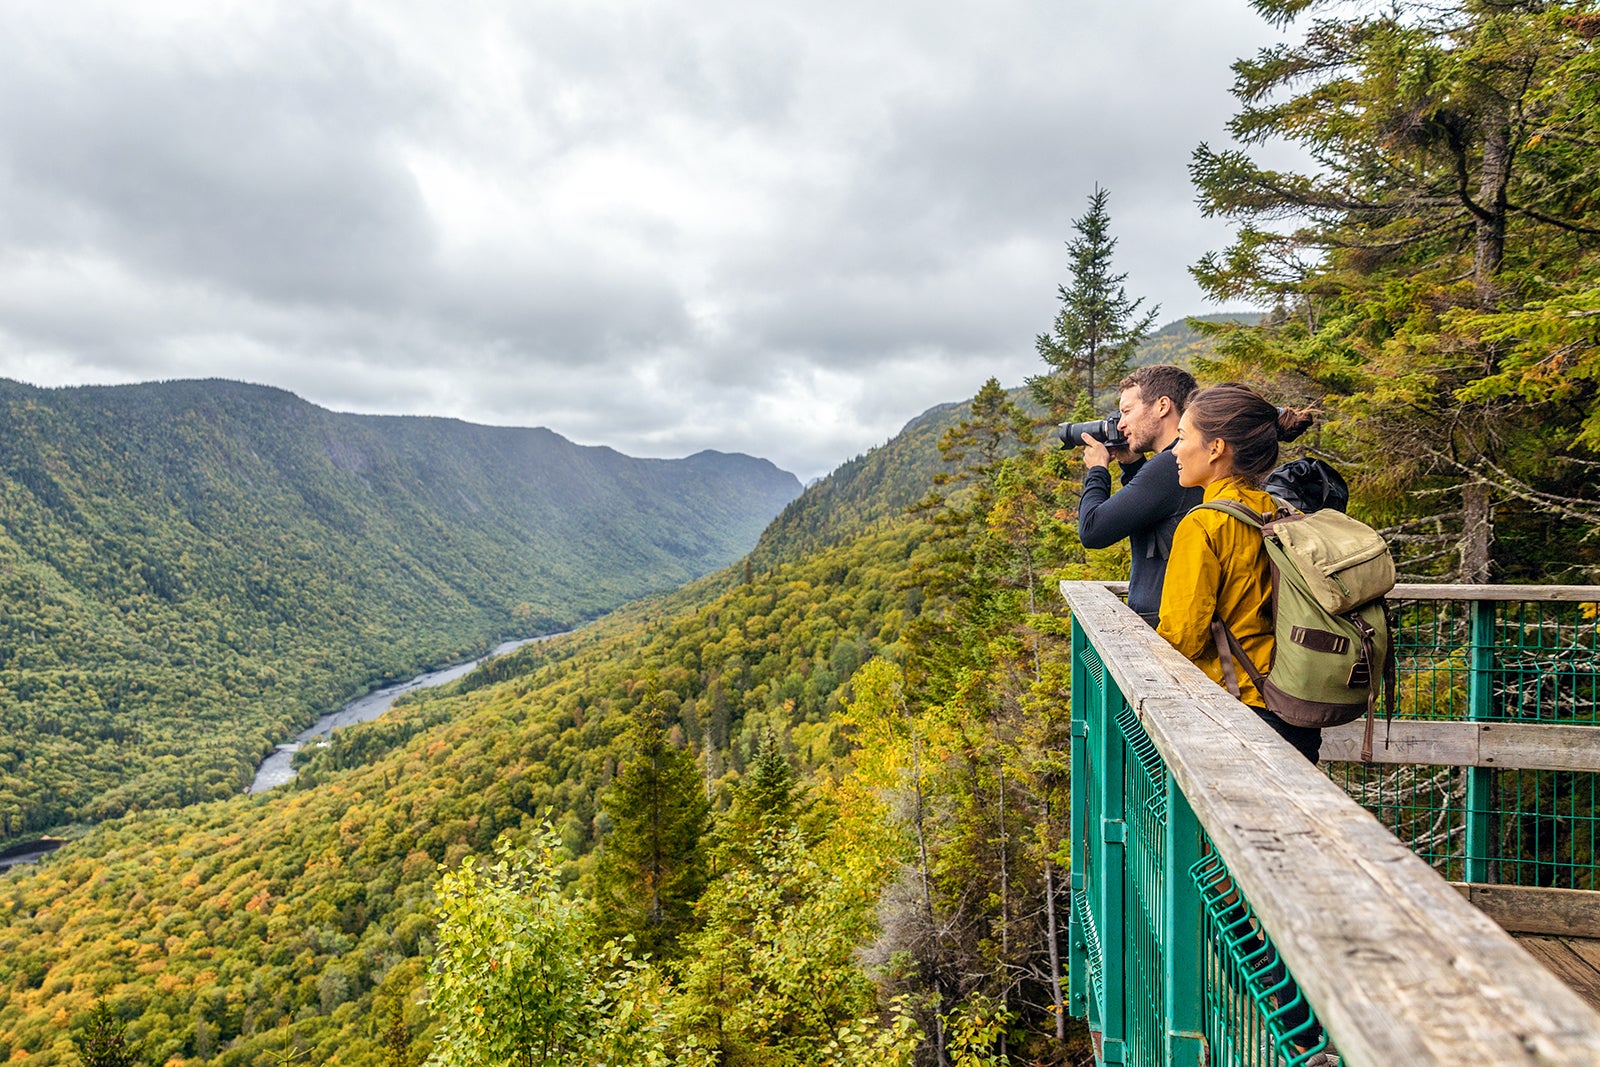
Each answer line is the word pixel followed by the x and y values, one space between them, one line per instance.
pixel 767 228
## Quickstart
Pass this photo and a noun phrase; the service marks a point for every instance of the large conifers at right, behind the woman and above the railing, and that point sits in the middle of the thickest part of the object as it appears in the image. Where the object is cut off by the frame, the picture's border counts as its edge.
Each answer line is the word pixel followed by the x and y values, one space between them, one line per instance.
pixel 1433 279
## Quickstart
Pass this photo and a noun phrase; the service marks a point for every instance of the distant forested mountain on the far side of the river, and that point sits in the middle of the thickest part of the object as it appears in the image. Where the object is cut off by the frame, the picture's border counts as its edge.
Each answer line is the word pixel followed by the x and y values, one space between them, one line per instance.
pixel 193 569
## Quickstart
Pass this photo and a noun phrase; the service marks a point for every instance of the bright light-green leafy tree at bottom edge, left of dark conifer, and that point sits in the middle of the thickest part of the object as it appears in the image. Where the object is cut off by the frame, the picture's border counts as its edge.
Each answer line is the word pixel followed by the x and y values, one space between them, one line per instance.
pixel 514 981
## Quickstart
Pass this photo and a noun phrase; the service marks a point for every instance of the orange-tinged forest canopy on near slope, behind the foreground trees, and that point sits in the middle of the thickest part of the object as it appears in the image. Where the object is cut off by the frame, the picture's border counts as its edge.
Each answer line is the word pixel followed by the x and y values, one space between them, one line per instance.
pixel 214 929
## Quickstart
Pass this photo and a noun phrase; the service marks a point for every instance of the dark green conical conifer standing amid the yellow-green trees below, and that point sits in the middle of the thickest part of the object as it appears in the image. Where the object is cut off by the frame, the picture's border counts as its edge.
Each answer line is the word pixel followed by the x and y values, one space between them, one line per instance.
pixel 652 866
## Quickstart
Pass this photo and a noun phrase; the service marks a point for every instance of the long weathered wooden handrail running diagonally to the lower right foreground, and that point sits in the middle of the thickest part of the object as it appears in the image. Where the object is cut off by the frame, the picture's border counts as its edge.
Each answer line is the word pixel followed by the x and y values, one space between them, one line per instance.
pixel 1402 970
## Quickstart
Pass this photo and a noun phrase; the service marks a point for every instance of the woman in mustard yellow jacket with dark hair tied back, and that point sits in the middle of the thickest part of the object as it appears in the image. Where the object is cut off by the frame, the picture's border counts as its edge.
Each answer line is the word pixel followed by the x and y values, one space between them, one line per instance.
pixel 1228 442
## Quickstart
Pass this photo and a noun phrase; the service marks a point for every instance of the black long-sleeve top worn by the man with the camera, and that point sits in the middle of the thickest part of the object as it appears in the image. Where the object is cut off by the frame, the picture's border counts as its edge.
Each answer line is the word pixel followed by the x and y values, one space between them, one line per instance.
pixel 1146 513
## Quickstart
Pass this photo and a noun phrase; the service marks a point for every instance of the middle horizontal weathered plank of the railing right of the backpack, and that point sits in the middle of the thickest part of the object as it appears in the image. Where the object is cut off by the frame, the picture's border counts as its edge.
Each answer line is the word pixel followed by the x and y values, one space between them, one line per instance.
pixel 1519 746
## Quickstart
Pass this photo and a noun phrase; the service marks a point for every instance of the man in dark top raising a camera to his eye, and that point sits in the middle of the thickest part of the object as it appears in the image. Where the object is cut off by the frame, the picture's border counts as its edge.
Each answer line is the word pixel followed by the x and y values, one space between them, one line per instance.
pixel 1150 505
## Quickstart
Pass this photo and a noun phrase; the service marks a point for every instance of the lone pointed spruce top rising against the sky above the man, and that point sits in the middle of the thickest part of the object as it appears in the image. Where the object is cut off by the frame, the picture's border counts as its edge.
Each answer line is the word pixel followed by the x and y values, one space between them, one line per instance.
pixel 1098 326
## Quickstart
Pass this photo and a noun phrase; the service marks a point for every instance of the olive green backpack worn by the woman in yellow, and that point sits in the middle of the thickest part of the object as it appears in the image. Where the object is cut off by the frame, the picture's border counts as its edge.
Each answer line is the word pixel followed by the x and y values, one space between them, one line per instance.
pixel 1335 650
